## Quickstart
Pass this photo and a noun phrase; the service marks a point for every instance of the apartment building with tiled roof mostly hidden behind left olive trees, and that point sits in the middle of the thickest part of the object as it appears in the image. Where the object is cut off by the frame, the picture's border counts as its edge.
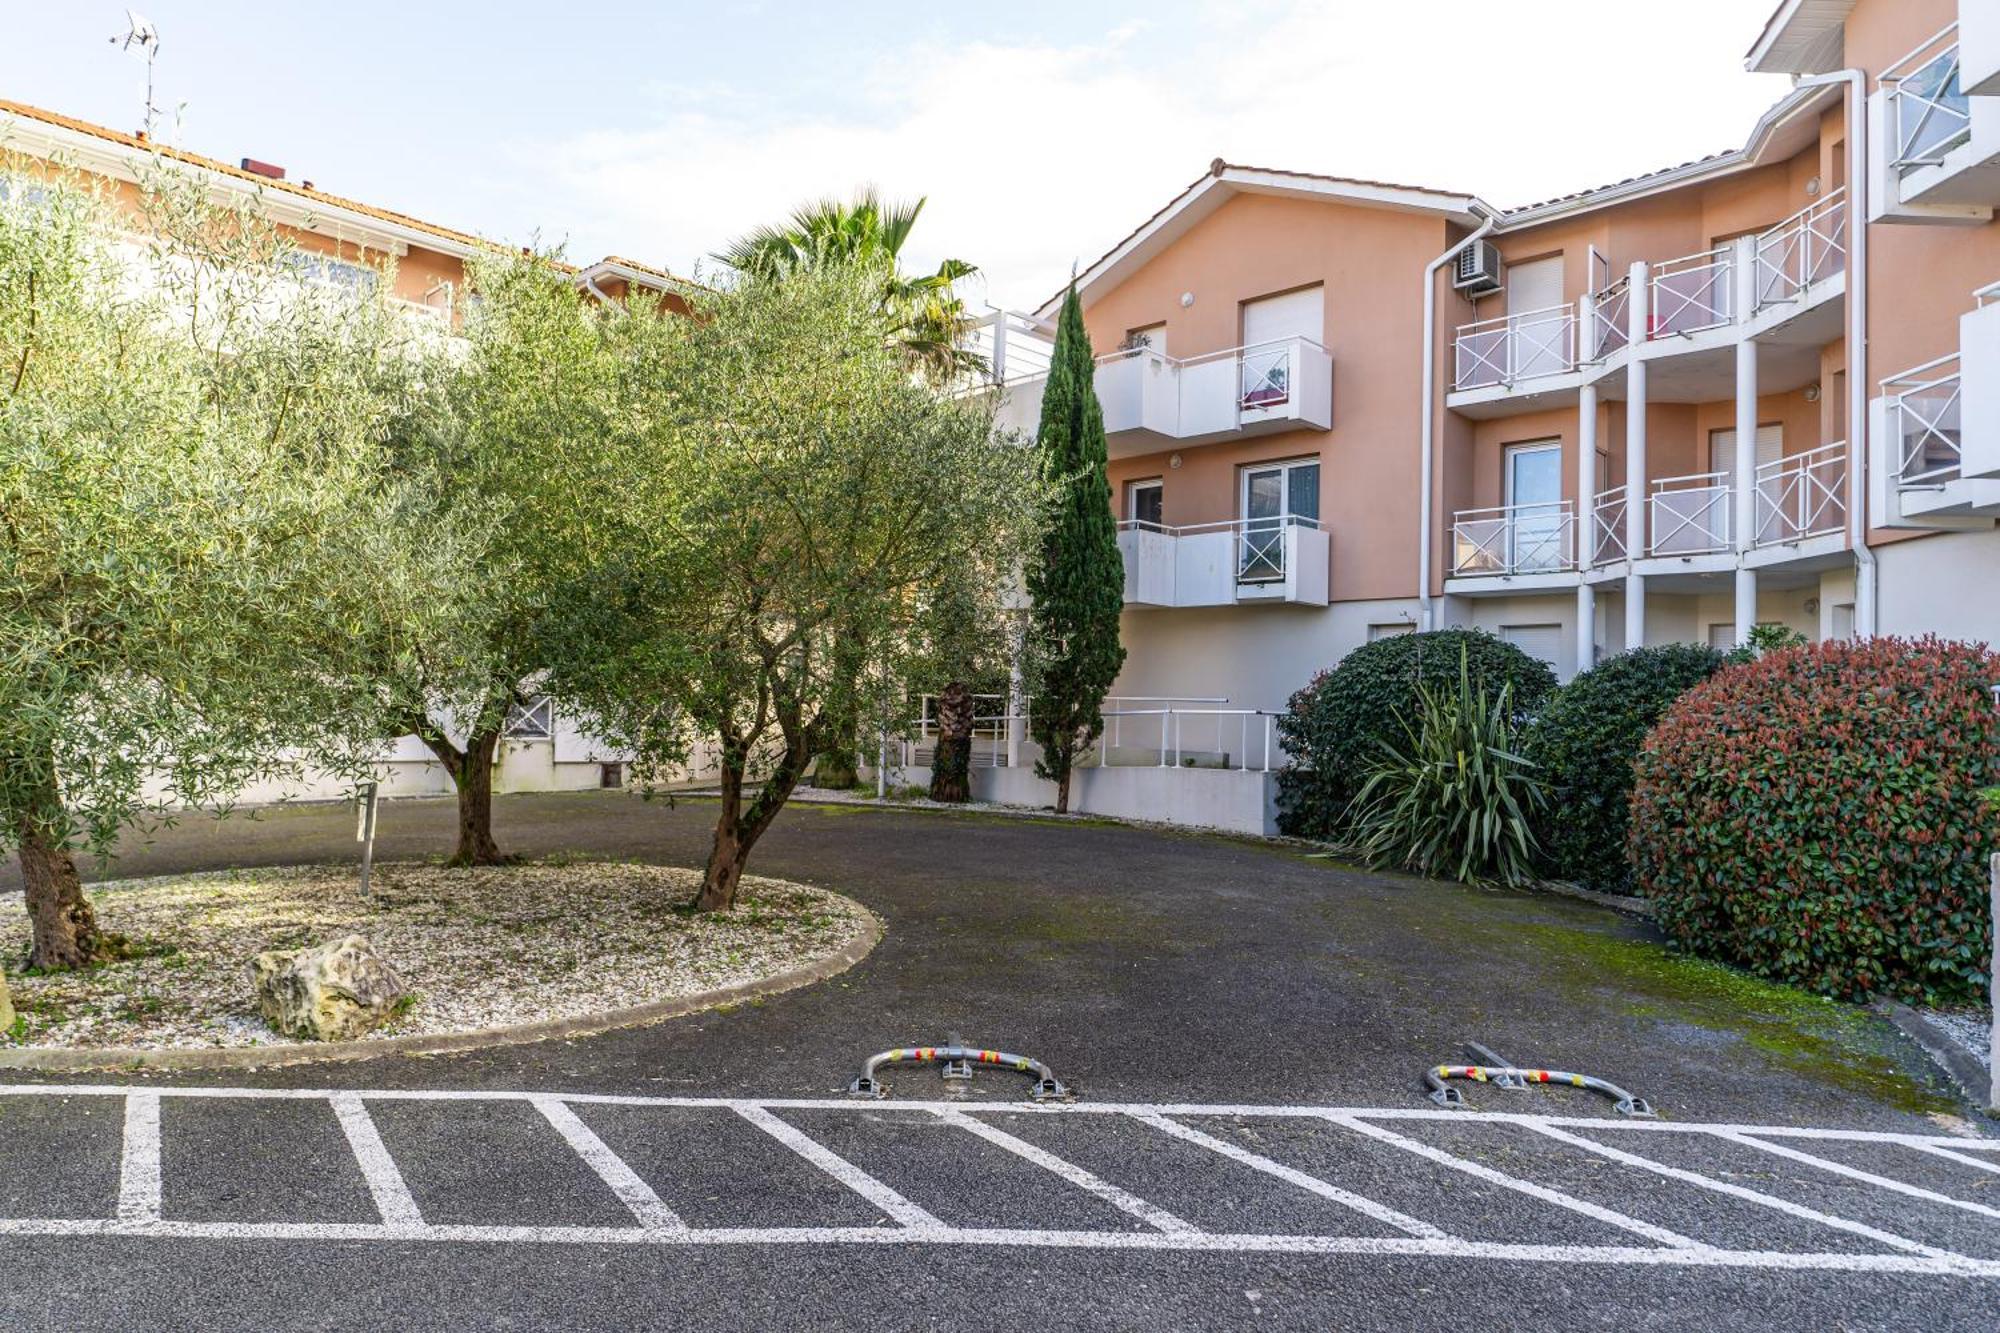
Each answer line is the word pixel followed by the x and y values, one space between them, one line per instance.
pixel 351 243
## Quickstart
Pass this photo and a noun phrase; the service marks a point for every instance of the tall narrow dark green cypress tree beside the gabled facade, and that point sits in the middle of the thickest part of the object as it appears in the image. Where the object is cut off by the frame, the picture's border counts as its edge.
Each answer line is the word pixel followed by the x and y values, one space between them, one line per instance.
pixel 1077 587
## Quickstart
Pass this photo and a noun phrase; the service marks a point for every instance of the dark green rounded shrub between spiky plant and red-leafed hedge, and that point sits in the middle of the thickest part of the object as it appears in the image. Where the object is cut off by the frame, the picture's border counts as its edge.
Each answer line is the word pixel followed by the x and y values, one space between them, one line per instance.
pixel 1585 744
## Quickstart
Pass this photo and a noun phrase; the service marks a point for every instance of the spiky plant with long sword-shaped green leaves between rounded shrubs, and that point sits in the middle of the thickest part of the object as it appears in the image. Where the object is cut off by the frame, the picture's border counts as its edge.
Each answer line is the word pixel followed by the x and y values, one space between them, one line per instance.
pixel 1453 800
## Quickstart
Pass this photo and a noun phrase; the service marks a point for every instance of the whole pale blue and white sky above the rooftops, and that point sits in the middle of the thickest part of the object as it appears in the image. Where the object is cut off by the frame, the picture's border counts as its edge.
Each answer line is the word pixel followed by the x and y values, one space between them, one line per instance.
pixel 1039 131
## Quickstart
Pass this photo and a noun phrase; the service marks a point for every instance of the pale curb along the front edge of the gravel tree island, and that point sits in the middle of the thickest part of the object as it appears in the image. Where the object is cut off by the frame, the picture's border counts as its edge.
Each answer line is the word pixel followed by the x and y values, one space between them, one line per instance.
pixel 129 1060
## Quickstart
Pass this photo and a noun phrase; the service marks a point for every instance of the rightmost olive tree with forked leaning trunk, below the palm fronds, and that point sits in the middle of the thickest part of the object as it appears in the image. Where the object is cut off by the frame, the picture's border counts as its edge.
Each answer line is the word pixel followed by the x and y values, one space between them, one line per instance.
pixel 797 495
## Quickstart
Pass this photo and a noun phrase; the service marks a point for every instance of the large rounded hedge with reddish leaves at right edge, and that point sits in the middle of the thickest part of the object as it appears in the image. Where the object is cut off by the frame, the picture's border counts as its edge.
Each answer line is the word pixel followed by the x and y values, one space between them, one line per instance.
pixel 1817 818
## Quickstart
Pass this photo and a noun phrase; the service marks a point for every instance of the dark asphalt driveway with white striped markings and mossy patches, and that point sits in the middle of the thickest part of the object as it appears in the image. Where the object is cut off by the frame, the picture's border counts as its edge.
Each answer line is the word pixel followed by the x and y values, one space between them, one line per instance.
pixel 705 1174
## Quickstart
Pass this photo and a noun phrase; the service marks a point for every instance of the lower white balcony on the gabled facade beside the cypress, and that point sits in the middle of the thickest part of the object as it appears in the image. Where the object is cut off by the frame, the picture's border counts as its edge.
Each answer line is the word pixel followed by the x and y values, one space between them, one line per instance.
pixel 1225 563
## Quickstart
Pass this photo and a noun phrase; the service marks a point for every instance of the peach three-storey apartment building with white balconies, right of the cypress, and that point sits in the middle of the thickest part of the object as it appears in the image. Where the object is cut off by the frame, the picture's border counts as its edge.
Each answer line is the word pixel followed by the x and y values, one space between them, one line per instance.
pixel 1755 389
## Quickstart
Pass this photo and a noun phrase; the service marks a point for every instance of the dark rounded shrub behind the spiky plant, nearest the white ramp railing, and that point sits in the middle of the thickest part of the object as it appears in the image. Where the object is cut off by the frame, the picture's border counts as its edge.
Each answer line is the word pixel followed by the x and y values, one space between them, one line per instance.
pixel 1335 724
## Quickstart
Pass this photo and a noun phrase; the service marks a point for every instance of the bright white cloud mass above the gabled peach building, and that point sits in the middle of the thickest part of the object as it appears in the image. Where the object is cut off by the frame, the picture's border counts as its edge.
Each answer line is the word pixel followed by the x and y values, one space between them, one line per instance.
pixel 1039 155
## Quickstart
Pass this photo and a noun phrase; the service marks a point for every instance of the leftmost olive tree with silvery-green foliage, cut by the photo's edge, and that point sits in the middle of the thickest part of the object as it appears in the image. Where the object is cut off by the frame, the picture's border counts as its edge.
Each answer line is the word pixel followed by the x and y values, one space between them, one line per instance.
pixel 187 429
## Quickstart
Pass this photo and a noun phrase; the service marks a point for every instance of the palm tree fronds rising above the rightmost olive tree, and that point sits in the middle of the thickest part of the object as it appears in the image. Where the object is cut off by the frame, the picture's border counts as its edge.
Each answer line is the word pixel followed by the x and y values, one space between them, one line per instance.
pixel 927 319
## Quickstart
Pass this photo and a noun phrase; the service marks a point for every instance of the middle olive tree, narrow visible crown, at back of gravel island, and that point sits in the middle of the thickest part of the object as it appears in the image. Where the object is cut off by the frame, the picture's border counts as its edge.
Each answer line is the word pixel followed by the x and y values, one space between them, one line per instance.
pixel 503 435
